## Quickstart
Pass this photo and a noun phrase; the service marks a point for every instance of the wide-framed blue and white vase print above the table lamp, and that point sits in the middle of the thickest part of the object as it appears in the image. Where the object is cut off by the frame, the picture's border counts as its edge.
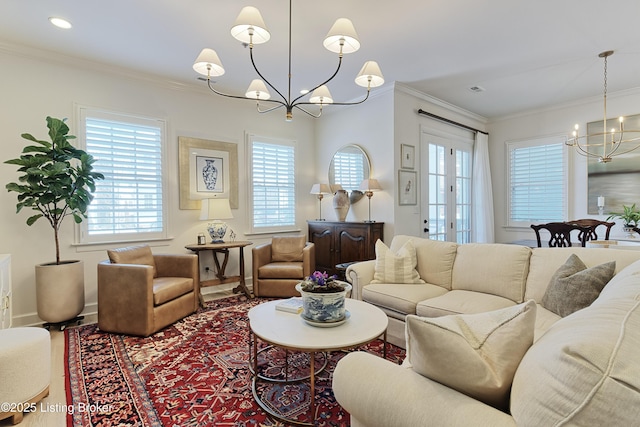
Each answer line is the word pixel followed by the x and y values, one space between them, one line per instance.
pixel 208 169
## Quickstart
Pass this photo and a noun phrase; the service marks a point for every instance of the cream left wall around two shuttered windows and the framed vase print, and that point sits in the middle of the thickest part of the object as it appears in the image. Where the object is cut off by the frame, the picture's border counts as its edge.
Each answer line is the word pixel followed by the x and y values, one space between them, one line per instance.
pixel 35 84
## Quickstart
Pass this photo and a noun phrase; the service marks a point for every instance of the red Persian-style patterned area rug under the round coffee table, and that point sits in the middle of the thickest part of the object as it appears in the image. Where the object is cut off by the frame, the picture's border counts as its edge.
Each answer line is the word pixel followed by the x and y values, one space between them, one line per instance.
pixel 193 373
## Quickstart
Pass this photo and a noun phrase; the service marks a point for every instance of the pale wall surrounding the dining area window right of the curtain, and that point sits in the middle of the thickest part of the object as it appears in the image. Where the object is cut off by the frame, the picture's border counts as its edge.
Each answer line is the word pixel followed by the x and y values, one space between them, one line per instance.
pixel 552 121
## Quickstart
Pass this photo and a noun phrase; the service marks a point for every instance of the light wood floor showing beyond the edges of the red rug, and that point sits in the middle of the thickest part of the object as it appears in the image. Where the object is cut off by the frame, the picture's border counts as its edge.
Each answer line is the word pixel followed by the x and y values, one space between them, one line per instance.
pixel 50 411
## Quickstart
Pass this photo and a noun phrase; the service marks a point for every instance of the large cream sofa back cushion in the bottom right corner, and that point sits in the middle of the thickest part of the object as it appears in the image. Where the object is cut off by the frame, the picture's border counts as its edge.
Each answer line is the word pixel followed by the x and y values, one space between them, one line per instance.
pixel 584 370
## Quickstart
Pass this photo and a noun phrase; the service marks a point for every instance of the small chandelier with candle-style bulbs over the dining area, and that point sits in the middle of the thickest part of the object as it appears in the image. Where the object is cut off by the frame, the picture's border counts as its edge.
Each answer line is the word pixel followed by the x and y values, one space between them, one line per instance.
pixel 606 144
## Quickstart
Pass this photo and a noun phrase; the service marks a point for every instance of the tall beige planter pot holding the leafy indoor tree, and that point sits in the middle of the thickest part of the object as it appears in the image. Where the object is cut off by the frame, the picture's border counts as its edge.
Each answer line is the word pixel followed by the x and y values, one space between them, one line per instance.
pixel 60 290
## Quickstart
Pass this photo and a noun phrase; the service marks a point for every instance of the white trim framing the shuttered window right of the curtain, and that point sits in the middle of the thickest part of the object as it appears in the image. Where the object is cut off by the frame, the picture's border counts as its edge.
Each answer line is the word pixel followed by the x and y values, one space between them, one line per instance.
pixel 533 142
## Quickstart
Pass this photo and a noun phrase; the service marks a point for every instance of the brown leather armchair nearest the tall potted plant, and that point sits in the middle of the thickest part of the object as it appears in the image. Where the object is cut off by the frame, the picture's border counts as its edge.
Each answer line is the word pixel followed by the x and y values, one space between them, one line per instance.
pixel 140 293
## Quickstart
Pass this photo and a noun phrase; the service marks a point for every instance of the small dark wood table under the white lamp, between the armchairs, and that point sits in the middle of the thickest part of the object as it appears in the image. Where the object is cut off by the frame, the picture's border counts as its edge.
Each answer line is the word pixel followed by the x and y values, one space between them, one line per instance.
pixel 223 248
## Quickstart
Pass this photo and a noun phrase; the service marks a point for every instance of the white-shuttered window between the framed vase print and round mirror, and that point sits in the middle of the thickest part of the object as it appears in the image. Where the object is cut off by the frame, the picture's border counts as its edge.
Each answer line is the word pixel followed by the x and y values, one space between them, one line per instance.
pixel 273 196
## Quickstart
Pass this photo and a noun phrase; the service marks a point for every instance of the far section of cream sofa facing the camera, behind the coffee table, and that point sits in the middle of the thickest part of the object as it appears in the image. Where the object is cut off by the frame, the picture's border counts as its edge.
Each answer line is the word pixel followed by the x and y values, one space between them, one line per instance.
pixel 471 278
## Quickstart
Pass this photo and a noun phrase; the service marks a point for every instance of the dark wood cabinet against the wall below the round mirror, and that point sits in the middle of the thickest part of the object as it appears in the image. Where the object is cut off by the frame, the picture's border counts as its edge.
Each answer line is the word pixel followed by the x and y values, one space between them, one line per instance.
pixel 341 242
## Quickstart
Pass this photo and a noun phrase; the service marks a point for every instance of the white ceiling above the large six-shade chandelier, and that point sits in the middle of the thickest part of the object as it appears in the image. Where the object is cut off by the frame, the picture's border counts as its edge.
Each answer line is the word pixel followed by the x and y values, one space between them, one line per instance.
pixel 525 54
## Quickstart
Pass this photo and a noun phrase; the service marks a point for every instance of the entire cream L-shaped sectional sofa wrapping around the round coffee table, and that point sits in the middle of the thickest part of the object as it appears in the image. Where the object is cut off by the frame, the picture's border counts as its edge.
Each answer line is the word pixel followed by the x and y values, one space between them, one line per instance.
pixel 582 369
